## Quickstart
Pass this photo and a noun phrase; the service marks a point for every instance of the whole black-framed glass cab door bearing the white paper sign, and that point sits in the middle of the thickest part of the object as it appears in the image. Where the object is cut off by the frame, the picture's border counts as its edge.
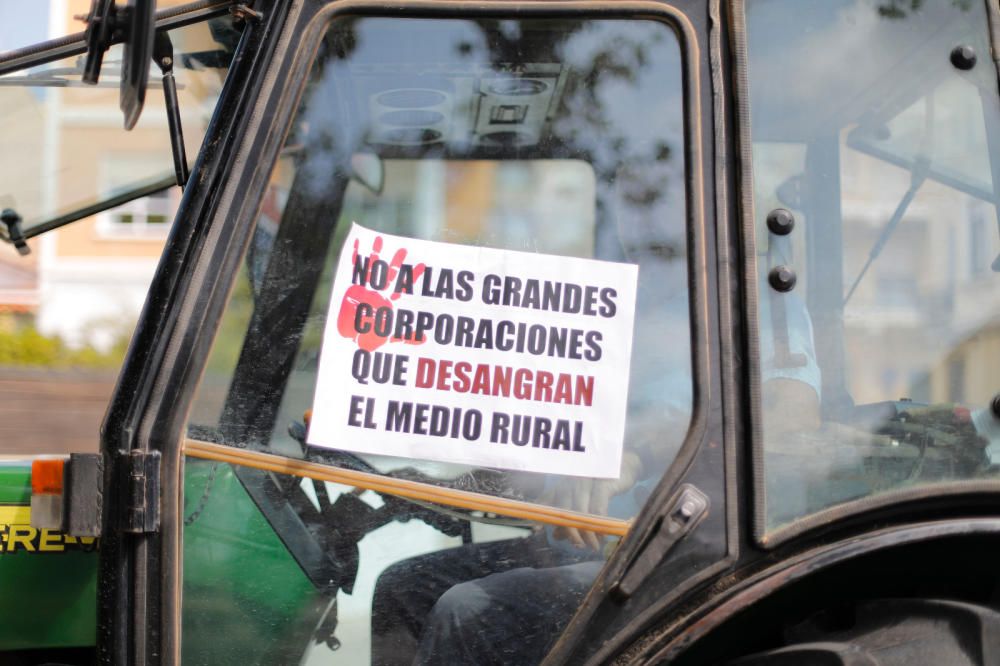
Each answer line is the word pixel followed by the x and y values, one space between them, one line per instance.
pixel 426 373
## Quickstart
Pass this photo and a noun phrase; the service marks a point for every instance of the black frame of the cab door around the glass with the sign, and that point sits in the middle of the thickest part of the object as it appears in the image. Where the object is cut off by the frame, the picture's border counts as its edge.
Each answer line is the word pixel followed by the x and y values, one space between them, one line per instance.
pixel 205 250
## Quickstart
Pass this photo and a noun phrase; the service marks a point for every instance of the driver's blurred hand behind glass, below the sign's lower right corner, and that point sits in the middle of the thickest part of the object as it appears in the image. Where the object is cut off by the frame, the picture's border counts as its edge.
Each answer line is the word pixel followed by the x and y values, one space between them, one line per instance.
pixel 591 496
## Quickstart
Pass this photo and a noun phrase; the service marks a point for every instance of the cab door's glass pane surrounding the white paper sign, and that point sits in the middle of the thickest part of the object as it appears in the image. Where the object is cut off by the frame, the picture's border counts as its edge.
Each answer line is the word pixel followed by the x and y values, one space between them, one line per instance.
pixel 553 137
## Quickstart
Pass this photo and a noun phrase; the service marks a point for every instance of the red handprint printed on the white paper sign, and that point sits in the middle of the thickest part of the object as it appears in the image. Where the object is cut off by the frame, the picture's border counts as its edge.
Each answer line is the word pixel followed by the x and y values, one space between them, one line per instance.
pixel 376 276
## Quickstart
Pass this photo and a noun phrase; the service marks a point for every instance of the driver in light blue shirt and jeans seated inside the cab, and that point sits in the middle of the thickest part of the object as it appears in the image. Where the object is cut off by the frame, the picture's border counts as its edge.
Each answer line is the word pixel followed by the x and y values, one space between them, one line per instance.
pixel 505 602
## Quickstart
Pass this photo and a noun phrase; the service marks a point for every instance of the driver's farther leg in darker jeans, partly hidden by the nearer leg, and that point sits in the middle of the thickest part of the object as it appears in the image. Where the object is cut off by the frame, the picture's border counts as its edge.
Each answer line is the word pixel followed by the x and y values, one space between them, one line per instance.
pixel 406 591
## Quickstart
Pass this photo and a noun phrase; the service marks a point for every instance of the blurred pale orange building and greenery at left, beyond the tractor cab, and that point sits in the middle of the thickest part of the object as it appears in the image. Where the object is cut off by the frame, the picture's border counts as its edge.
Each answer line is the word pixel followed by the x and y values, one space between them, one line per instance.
pixel 68 309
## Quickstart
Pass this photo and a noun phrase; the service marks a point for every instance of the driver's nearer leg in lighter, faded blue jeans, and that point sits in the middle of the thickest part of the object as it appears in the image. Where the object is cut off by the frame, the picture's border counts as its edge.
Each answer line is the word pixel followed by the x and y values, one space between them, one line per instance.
pixel 508 618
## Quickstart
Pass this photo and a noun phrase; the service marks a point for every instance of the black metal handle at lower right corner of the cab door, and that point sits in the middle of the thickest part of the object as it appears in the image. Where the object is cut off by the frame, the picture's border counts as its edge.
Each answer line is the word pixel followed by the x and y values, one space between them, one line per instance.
pixel 685 511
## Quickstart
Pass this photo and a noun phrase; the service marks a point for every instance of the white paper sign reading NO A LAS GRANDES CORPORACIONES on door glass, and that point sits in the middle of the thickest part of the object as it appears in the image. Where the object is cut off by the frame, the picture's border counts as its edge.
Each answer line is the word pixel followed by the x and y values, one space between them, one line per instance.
pixel 473 355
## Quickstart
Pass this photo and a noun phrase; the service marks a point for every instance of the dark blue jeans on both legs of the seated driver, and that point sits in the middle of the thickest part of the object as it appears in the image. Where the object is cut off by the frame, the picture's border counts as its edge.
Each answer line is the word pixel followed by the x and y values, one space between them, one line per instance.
pixel 502 602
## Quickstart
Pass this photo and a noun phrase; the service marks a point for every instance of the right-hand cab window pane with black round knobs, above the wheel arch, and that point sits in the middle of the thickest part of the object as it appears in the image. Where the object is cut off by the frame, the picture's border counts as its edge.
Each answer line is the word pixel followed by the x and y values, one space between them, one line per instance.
pixel 876 127
